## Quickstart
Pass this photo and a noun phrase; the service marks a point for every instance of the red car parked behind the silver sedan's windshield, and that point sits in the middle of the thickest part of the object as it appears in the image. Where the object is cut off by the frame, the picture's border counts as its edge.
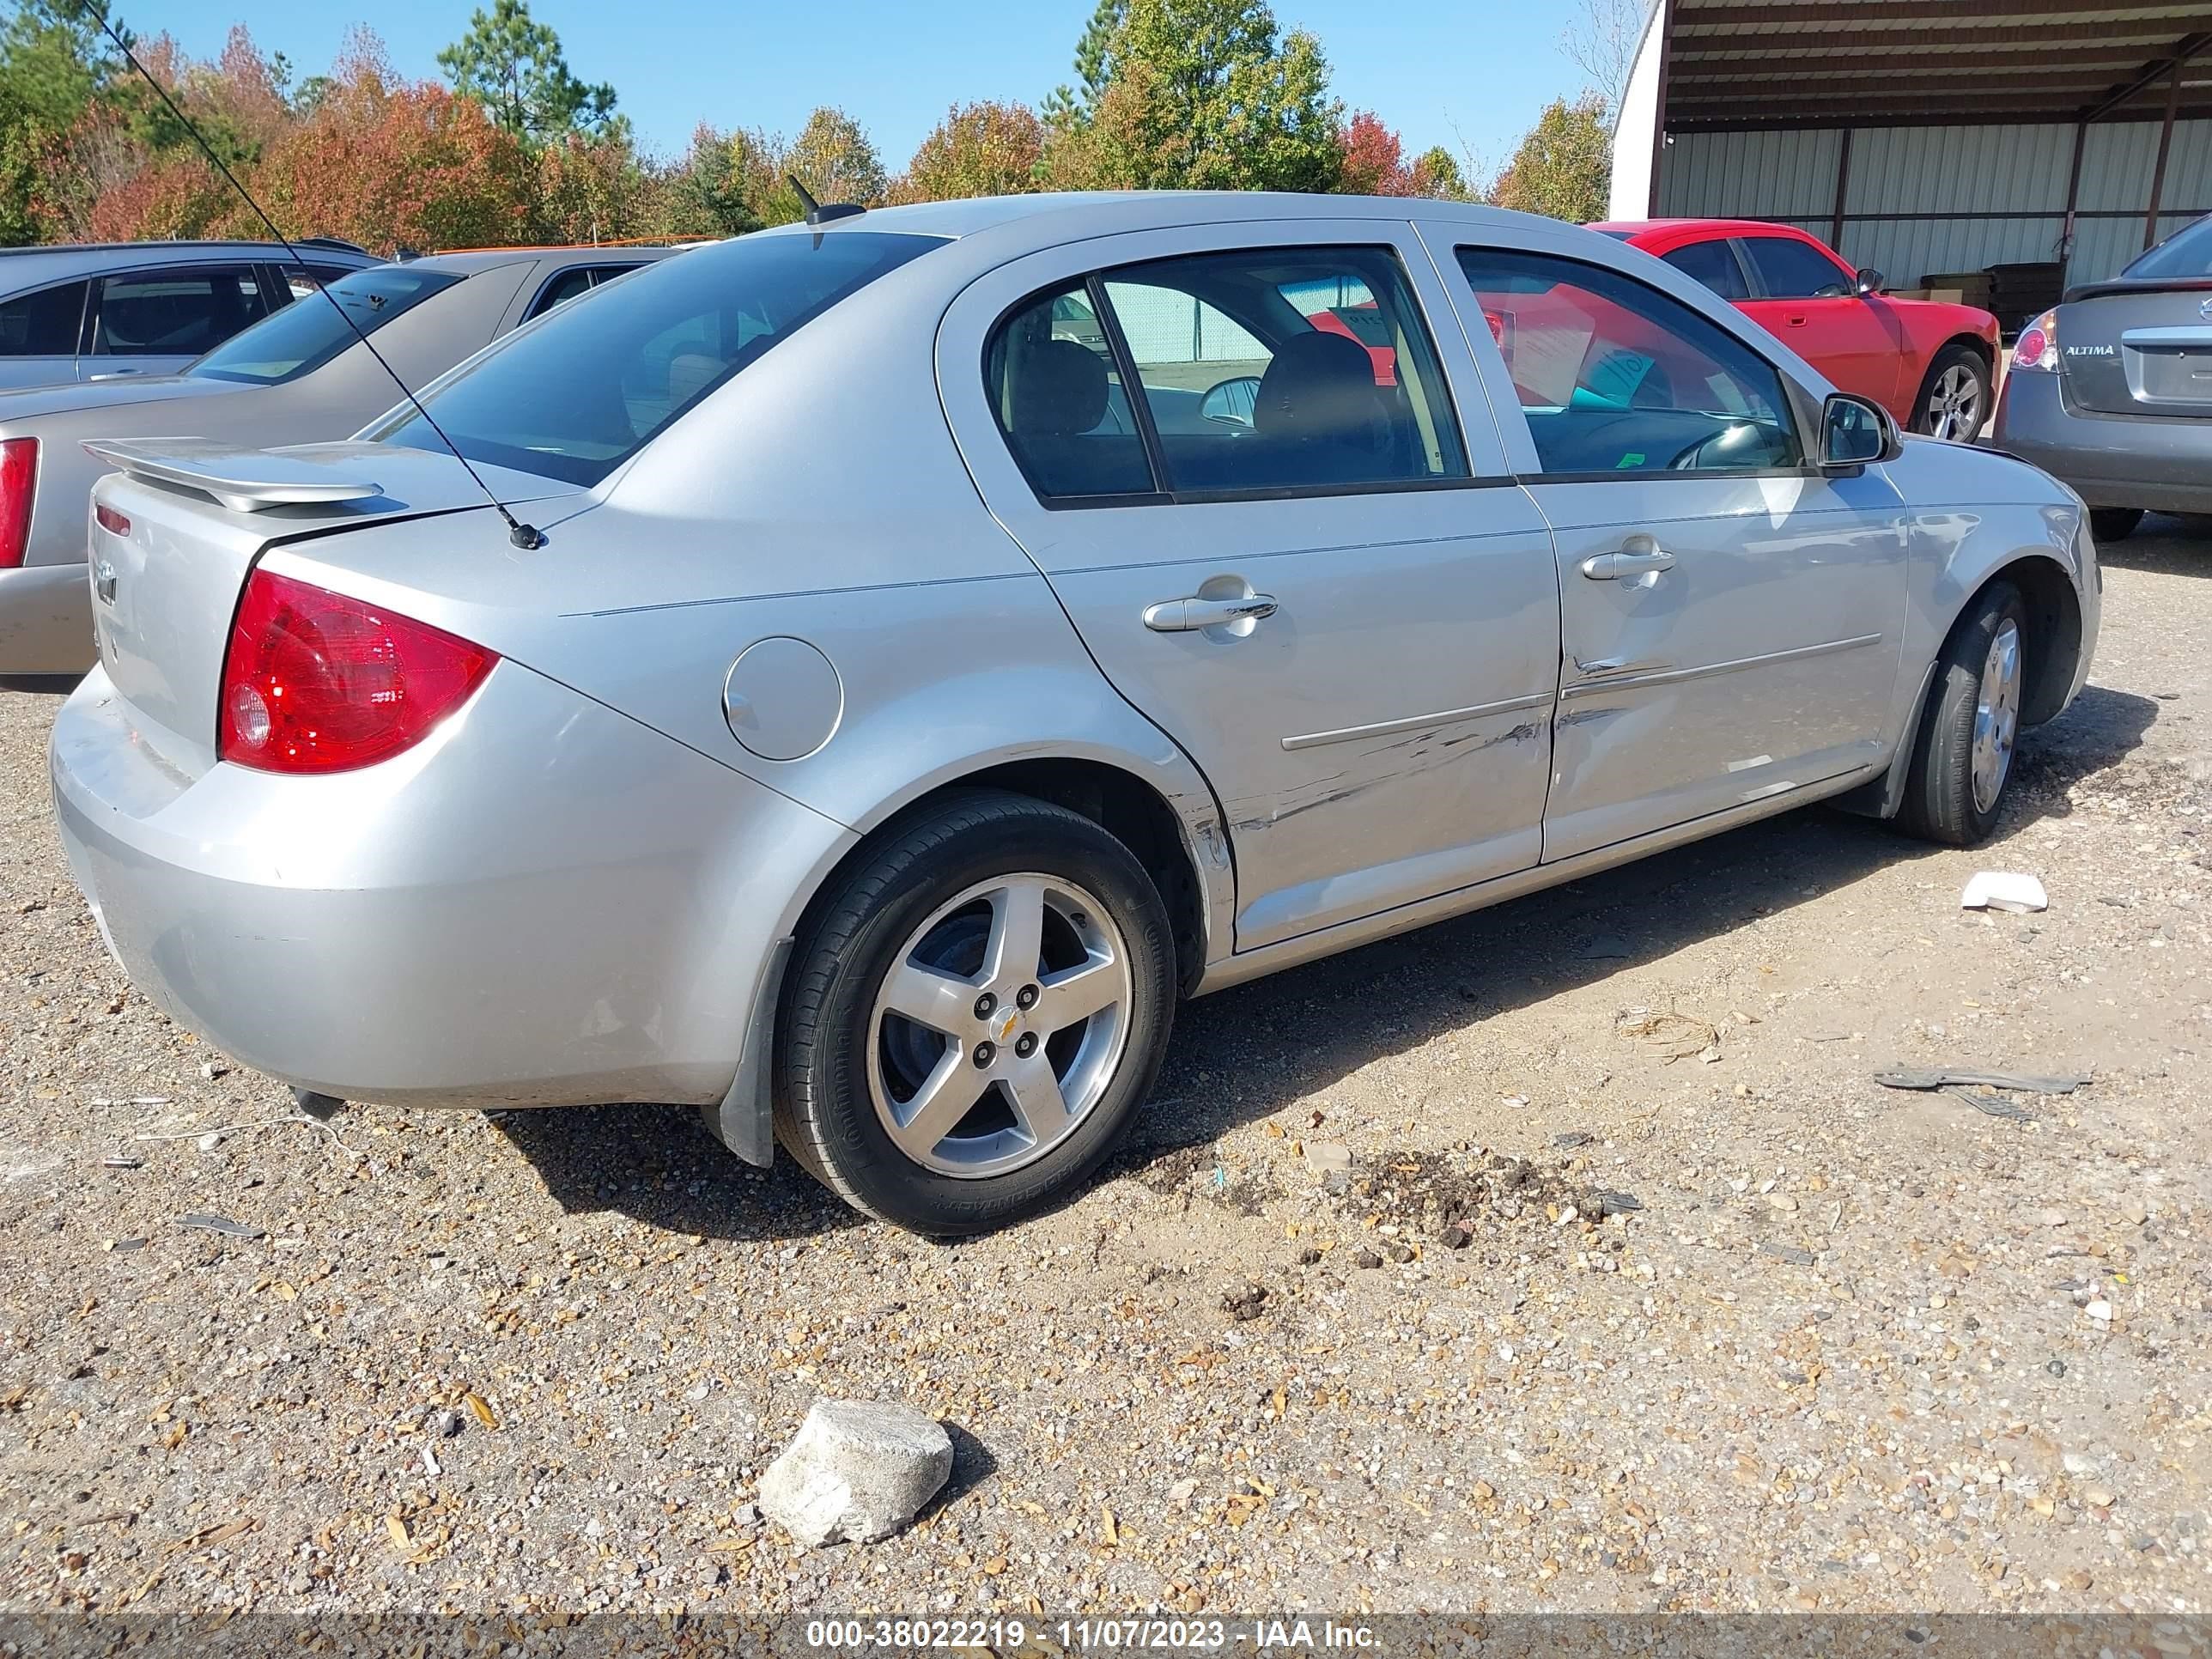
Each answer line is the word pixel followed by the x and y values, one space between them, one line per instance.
pixel 1932 366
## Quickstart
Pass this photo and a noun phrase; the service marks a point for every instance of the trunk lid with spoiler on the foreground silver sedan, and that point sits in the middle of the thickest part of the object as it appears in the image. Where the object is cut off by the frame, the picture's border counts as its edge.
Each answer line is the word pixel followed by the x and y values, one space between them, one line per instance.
pixel 200 514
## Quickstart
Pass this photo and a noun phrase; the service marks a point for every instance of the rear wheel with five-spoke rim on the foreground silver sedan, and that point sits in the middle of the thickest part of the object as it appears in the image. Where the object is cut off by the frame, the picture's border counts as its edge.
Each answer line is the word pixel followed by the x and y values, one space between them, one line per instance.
pixel 974 1016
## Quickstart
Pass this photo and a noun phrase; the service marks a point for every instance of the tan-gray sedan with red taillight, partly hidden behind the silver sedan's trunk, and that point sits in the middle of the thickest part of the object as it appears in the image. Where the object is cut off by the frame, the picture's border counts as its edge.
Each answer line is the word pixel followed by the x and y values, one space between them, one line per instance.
pixel 293 377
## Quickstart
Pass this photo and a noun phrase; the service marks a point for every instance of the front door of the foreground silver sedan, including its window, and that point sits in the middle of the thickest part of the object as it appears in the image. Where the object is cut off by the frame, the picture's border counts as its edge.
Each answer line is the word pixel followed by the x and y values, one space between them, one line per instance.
pixel 1733 618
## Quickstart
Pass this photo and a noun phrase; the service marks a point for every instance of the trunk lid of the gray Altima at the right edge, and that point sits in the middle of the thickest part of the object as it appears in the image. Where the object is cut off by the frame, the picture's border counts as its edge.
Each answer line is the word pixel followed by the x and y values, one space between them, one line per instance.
pixel 2140 348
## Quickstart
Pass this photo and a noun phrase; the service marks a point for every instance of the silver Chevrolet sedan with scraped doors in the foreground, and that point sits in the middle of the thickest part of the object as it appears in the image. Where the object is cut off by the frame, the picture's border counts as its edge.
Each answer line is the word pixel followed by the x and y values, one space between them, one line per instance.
pixel 930 643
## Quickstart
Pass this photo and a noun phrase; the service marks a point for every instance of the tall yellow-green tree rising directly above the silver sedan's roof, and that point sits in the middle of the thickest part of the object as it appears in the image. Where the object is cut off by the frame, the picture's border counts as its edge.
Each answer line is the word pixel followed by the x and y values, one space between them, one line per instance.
pixel 1204 96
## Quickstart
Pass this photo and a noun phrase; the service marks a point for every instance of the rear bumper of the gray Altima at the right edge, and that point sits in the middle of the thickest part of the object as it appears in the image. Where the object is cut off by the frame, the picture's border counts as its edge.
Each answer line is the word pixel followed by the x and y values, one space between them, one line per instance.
pixel 2162 463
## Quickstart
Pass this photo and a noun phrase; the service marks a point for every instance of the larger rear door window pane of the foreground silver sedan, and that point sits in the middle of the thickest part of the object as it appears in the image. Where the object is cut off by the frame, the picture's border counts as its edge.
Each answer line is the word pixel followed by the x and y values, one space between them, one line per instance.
pixel 1286 368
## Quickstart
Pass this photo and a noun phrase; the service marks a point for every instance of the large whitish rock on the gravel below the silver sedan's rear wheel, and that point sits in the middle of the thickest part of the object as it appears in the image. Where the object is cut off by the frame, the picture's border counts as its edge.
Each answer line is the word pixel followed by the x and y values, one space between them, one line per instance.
pixel 857 1472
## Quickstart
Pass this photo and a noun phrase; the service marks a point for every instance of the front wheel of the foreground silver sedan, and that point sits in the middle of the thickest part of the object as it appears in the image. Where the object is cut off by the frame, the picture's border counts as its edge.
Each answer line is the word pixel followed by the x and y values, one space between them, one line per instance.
pixel 1963 758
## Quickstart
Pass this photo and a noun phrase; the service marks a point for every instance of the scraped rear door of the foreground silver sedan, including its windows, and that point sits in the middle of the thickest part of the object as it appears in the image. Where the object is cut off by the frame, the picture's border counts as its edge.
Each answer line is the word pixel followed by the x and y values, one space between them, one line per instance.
pixel 1275 505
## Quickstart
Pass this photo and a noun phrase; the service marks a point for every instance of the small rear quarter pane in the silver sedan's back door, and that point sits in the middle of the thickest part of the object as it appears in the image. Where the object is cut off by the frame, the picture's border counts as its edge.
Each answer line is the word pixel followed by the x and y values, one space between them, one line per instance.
pixel 1061 404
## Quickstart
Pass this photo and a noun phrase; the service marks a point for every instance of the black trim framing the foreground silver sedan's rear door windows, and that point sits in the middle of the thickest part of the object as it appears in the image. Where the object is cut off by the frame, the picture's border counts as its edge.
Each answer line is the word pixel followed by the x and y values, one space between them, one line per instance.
pixel 1162 494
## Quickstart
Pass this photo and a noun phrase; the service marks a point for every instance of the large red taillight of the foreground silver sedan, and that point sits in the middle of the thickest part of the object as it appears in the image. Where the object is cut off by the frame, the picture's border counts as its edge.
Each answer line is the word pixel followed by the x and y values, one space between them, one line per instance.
pixel 320 682
